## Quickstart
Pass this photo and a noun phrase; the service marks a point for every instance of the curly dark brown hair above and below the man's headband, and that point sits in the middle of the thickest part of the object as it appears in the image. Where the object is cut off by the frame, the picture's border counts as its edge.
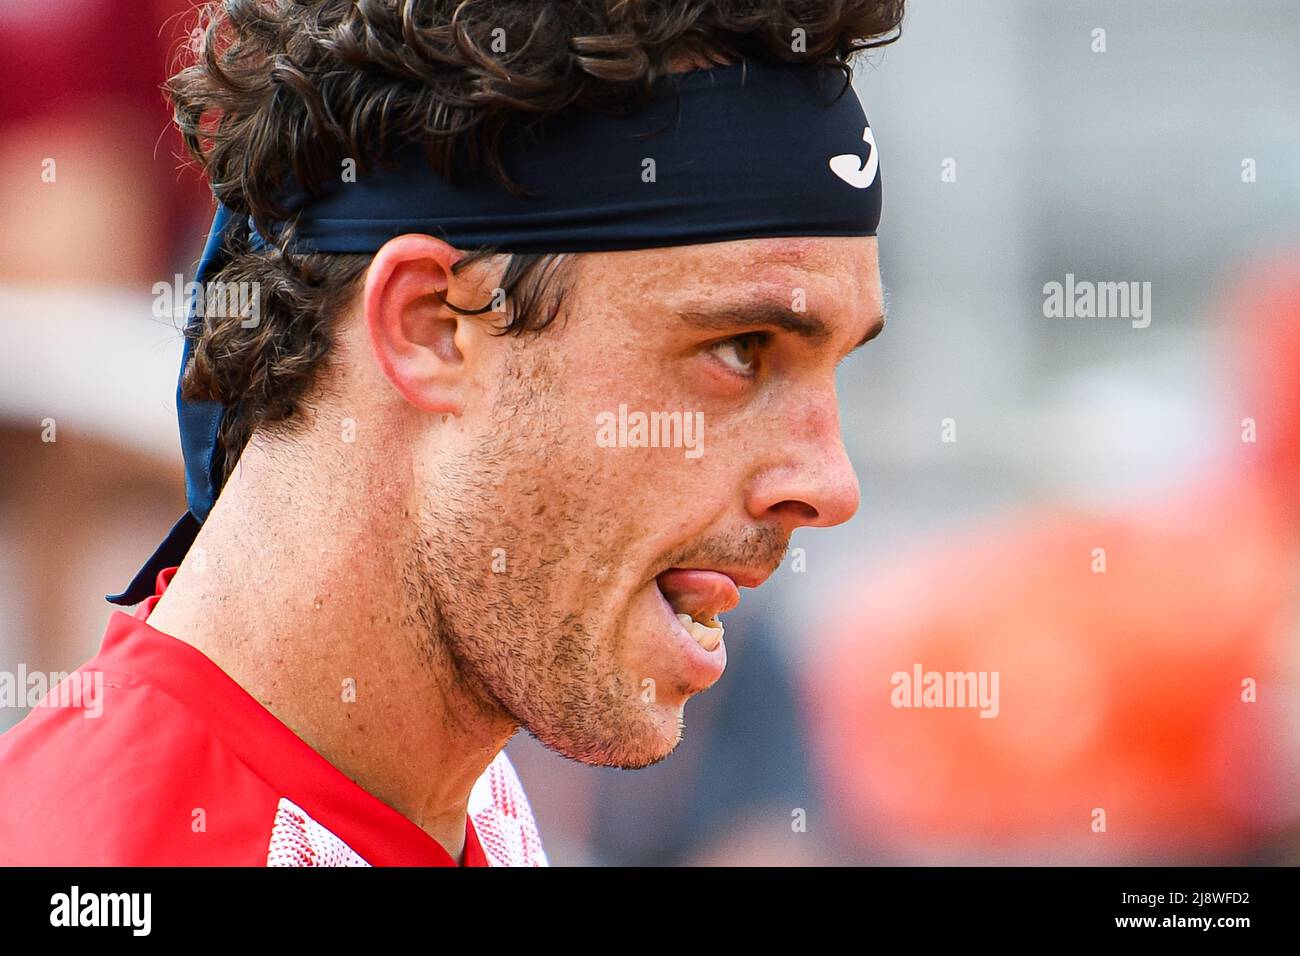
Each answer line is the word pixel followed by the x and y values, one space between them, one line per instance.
pixel 281 89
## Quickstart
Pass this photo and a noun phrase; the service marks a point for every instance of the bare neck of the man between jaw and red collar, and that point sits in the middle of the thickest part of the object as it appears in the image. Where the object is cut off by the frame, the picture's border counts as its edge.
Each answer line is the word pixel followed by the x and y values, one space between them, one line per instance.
pixel 298 602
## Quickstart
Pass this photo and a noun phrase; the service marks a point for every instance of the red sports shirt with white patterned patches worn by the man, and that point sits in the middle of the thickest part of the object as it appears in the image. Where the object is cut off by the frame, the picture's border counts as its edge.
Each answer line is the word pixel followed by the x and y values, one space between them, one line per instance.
pixel 164 760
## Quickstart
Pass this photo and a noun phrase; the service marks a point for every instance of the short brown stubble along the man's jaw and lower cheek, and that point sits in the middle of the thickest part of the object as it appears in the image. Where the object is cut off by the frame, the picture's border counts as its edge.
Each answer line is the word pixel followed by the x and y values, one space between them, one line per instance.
pixel 492 552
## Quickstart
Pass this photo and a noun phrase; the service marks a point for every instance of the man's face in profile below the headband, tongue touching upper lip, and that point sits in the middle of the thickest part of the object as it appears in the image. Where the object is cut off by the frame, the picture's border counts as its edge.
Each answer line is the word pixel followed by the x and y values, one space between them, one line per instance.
pixel 557 542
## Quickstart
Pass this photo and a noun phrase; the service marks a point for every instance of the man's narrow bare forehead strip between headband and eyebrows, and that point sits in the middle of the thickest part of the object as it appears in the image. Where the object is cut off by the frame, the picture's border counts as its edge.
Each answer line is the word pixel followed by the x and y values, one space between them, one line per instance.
pixel 840 269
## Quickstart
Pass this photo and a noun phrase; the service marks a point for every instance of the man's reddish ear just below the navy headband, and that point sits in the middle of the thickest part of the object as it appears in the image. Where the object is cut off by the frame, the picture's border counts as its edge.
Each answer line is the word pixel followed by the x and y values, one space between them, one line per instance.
pixel 419 343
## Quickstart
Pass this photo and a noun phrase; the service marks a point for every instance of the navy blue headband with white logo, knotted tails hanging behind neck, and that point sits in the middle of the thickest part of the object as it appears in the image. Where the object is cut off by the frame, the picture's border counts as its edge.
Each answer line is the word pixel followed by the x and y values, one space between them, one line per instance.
pixel 746 152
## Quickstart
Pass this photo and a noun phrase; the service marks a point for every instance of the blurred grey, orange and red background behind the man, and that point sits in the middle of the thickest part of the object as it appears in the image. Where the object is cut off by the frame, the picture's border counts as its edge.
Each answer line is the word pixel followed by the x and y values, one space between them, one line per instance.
pixel 1103 514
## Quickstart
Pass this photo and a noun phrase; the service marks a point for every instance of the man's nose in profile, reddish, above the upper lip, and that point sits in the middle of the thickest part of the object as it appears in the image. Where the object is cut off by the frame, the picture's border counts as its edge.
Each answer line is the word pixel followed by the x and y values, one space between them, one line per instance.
pixel 811 483
